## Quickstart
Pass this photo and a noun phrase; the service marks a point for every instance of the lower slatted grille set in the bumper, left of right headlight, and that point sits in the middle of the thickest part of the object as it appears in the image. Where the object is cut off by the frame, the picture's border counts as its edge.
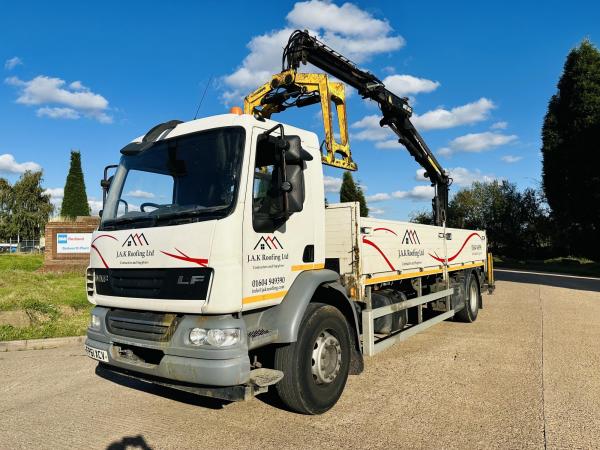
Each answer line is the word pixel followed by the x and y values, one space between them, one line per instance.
pixel 141 324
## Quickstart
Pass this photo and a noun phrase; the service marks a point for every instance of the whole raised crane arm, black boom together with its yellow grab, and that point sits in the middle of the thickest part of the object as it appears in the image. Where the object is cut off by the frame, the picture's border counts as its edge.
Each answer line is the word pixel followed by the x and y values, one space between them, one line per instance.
pixel 292 88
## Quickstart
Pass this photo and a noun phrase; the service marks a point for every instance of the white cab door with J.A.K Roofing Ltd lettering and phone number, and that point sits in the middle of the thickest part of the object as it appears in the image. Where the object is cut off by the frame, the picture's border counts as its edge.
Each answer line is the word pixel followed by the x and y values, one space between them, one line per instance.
pixel 275 248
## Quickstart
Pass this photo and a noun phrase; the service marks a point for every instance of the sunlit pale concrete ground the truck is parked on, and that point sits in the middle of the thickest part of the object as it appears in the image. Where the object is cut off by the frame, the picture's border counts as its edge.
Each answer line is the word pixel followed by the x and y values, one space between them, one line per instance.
pixel 525 375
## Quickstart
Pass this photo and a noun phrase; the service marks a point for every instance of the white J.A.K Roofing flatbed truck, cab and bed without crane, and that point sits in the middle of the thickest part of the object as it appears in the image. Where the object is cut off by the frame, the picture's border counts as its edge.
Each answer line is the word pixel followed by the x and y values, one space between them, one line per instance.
pixel 218 270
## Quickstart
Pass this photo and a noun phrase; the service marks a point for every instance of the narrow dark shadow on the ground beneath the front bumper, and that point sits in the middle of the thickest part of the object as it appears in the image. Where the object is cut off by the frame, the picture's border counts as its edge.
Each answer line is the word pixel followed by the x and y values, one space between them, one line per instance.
pixel 161 391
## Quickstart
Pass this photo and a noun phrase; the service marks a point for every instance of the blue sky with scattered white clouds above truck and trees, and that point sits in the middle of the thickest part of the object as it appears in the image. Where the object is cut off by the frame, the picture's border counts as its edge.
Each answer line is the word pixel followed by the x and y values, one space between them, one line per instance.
pixel 93 76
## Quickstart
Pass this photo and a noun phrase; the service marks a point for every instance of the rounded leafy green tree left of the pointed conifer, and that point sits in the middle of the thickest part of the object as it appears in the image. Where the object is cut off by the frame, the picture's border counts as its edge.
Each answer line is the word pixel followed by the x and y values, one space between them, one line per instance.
pixel 31 208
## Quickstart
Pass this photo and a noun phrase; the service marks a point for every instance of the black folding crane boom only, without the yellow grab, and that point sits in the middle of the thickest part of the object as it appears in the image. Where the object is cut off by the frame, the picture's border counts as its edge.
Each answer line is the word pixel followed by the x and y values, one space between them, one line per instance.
pixel 303 48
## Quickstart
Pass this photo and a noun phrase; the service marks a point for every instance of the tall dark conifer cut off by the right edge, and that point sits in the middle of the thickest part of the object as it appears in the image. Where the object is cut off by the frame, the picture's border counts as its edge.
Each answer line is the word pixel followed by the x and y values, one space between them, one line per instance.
pixel 570 141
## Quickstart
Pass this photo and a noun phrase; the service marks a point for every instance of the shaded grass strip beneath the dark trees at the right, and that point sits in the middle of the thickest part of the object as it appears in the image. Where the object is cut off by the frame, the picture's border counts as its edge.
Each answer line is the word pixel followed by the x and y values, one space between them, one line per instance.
pixel 567 265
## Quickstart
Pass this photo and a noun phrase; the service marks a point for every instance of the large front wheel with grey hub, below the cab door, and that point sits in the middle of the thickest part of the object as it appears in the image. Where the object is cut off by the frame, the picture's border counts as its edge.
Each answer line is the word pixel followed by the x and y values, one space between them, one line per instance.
pixel 308 387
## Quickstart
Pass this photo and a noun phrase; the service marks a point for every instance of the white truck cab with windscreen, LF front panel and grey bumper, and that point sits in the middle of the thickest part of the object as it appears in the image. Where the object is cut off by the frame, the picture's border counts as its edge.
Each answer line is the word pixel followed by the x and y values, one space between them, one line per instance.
pixel 206 222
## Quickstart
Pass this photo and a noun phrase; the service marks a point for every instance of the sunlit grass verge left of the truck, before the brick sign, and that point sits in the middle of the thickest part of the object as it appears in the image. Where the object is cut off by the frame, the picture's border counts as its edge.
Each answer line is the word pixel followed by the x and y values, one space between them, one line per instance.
pixel 45 305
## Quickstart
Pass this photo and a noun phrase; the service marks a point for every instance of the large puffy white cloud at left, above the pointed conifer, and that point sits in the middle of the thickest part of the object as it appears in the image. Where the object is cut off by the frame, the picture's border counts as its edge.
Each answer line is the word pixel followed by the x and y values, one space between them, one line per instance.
pixel 74 99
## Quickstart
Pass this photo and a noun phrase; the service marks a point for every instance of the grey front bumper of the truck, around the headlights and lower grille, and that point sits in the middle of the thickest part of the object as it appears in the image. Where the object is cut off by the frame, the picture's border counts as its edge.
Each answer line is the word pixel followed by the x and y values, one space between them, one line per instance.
pixel 176 359
